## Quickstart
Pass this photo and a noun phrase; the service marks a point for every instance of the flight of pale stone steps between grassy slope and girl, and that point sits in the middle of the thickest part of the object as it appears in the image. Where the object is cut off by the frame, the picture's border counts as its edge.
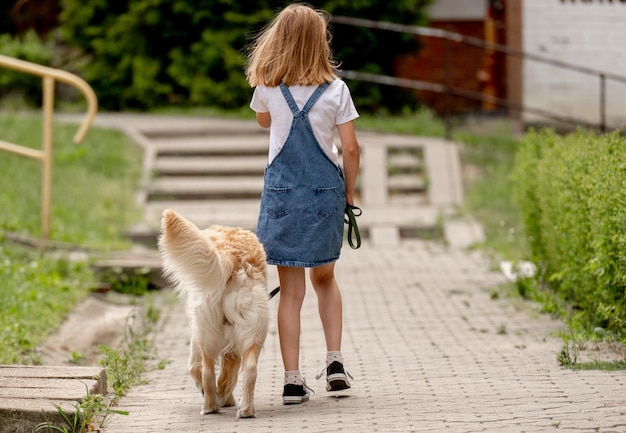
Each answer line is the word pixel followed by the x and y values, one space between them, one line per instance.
pixel 212 178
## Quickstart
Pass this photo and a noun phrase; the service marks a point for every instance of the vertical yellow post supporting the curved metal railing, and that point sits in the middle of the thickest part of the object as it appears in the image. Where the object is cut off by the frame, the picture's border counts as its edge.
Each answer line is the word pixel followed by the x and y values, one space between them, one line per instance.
pixel 48 108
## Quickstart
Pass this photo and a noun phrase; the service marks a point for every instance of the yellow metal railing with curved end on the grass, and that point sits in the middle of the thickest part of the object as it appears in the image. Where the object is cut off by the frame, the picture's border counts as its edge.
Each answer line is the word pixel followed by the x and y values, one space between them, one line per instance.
pixel 49 76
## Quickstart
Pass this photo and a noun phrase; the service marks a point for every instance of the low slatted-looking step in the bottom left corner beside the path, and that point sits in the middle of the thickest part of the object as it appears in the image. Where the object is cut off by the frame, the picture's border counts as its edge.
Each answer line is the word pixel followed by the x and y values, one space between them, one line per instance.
pixel 27 394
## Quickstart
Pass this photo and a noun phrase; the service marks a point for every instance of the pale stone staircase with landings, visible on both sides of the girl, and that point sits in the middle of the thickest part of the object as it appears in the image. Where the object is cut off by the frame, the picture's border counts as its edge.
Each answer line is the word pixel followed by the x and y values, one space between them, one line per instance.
pixel 211 172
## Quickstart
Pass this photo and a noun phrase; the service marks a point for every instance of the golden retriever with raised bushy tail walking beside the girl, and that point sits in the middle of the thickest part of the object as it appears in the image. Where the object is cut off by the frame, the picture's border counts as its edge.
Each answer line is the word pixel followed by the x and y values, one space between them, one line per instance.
pixel 220 273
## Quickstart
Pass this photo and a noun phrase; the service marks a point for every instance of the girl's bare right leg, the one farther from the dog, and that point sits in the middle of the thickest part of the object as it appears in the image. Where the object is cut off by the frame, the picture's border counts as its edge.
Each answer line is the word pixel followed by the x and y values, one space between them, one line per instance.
pixel 329 304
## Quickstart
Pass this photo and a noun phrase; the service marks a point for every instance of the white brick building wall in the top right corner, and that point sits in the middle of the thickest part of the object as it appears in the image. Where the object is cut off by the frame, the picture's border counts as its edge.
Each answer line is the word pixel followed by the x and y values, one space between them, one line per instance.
pixel 587 33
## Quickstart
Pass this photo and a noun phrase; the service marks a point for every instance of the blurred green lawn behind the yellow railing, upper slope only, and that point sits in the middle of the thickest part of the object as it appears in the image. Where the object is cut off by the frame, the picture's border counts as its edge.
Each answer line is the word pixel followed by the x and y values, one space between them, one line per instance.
pixel 93 186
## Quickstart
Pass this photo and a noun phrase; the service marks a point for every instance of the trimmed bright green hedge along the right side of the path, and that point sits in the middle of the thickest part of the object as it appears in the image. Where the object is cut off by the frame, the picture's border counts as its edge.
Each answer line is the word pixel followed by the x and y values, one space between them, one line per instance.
pixel 572 192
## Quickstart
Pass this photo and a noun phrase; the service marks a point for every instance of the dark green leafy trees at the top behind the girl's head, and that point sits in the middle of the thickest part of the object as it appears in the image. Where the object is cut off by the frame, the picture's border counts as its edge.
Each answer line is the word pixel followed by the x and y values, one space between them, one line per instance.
pixel 144 54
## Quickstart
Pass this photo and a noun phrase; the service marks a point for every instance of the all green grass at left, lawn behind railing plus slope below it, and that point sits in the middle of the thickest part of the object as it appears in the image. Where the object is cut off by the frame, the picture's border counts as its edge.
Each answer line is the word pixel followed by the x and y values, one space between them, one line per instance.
pixel 93 202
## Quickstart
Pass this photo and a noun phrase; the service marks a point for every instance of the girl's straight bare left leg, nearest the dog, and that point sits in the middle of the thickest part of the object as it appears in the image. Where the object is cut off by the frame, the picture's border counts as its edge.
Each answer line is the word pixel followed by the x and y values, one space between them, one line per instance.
pixel 292 290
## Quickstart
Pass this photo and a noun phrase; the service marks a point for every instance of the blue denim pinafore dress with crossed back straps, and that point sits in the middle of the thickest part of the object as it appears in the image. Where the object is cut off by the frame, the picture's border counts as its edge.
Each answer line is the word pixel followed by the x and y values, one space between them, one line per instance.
pixel 301 217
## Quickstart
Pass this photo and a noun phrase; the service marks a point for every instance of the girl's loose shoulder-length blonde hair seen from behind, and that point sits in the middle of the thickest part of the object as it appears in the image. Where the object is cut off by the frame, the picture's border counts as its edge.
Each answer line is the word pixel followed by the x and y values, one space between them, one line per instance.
pixel 294 48
